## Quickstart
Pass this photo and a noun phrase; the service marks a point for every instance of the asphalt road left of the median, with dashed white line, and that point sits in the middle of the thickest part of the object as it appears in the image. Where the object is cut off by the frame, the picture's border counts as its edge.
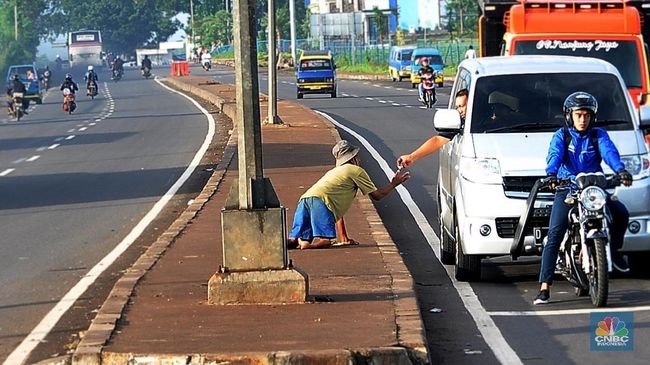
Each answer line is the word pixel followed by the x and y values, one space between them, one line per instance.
pixel 73 187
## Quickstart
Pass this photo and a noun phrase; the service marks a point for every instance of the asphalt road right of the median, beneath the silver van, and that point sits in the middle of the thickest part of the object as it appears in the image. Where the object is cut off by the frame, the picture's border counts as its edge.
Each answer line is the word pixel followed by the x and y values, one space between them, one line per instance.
pixel 489 322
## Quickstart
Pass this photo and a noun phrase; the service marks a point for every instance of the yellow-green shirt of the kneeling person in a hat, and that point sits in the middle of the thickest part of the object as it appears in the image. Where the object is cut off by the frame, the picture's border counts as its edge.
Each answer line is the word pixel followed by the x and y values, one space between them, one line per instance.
pixel 338 187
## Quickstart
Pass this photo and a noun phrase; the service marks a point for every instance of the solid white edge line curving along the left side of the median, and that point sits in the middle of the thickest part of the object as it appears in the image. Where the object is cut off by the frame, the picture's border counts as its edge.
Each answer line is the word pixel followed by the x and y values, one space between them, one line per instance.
pixel 43 328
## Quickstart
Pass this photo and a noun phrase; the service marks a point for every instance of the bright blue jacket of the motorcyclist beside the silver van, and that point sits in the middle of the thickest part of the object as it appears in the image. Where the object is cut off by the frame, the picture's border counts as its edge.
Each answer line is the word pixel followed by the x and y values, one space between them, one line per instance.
pixel 581 155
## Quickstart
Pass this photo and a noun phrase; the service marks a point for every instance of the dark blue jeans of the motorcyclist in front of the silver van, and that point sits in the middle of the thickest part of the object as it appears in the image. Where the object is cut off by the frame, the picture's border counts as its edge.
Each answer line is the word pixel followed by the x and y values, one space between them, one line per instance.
pixel 559 222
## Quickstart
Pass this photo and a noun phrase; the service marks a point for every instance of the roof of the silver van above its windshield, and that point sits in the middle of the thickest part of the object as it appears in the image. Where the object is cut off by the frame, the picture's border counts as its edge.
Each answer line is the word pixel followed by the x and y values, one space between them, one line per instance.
pixel 522 64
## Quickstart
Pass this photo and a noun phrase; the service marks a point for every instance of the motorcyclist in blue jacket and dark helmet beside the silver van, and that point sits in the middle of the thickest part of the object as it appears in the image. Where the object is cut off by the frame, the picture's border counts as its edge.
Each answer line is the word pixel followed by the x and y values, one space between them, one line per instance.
pixel 587 148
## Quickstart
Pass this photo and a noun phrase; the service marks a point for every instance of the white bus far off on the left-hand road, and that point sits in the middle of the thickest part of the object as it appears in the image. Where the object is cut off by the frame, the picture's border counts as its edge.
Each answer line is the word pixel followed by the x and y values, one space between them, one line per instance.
pixel 85 48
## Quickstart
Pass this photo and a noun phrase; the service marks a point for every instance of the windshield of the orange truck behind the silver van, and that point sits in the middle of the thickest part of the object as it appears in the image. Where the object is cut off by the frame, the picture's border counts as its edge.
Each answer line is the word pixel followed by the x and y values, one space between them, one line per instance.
pixel 622 54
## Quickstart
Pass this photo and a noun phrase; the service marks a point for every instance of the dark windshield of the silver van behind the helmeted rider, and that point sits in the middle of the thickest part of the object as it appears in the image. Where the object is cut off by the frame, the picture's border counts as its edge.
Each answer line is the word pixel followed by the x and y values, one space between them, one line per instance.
pixel 533 102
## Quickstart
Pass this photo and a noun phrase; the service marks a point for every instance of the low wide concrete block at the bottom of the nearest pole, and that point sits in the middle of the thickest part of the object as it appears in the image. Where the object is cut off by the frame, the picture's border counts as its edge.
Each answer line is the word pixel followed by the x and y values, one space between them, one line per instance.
pixel 284 286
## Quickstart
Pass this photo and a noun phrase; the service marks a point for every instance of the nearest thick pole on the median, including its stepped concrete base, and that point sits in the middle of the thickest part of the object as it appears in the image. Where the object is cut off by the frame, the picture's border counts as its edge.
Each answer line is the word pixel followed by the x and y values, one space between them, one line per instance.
pixel 255 268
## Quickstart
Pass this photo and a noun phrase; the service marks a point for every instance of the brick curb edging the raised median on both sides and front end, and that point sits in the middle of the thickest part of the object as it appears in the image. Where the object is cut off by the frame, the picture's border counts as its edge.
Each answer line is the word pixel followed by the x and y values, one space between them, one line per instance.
pixel 410 349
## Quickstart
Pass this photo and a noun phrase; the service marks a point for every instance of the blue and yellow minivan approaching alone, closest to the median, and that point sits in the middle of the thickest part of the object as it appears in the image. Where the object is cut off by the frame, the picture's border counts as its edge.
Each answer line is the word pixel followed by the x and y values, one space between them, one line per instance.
pixel 316 74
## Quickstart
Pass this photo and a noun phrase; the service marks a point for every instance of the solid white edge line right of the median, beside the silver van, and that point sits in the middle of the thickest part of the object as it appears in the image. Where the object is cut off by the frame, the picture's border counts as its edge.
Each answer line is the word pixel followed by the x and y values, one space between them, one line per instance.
pixel 489 330
